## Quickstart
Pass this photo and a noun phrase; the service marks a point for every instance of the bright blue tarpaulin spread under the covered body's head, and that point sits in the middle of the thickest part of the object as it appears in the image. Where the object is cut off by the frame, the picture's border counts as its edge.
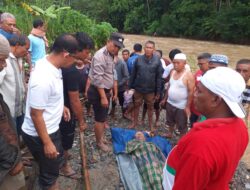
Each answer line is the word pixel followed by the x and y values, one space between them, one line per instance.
pixel 121 136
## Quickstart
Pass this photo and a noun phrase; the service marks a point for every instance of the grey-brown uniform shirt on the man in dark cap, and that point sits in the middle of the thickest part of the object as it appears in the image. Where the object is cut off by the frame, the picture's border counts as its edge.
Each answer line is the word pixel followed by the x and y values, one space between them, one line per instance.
pixel 102 69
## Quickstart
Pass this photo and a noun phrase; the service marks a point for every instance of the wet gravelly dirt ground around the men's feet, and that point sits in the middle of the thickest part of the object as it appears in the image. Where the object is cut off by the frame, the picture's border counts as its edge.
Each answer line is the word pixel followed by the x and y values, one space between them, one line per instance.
pixel 103 171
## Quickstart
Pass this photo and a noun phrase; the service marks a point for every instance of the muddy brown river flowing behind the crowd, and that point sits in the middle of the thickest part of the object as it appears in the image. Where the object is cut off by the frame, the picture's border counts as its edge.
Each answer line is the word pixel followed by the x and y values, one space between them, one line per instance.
pixel 191 48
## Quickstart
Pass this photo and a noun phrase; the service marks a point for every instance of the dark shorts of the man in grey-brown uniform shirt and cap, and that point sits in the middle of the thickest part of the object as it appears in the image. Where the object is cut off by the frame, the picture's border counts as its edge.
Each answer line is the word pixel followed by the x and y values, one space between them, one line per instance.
pixel 100 112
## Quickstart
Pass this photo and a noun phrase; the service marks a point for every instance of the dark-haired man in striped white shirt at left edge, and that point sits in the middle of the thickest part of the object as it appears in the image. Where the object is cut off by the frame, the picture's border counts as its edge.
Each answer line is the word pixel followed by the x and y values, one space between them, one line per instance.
pixel 12 83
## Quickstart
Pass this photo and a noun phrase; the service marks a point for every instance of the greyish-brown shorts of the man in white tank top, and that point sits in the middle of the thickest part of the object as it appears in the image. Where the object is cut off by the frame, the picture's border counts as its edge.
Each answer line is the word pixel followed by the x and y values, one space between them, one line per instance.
pixel 176 116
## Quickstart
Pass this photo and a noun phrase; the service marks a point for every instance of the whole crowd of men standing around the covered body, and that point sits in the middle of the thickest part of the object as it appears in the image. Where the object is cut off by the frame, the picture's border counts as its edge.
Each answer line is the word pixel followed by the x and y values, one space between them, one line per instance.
pixel 204 108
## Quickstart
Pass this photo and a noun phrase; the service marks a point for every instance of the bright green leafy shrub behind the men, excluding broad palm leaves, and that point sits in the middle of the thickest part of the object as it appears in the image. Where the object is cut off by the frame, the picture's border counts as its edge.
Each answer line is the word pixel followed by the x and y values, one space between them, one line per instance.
pixel 67 21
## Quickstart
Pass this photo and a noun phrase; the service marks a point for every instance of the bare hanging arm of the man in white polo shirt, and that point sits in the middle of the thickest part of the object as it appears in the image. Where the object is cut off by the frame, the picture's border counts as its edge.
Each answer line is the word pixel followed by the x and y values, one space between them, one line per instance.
pixel 39 123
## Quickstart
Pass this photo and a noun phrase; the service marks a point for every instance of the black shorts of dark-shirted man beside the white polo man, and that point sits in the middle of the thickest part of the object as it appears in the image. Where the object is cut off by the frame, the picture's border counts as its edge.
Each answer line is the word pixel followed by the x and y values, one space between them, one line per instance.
pixel 67 129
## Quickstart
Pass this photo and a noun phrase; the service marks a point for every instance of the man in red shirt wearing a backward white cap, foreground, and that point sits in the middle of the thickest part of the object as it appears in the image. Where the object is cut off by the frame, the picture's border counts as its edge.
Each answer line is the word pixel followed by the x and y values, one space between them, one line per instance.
pixel 206 158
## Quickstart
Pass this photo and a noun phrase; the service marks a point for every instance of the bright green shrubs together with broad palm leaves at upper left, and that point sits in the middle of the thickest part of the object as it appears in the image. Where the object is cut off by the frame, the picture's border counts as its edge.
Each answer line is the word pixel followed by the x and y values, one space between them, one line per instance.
pixel 58 20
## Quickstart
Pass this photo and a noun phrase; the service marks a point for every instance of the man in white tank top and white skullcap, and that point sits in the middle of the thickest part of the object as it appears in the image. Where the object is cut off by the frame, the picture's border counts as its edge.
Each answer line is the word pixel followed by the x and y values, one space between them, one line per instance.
pixel 179 96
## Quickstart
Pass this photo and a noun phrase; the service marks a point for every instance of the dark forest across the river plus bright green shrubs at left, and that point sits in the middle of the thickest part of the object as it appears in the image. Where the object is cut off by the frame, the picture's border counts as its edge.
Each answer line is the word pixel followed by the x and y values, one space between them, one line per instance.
pixel 220 20
